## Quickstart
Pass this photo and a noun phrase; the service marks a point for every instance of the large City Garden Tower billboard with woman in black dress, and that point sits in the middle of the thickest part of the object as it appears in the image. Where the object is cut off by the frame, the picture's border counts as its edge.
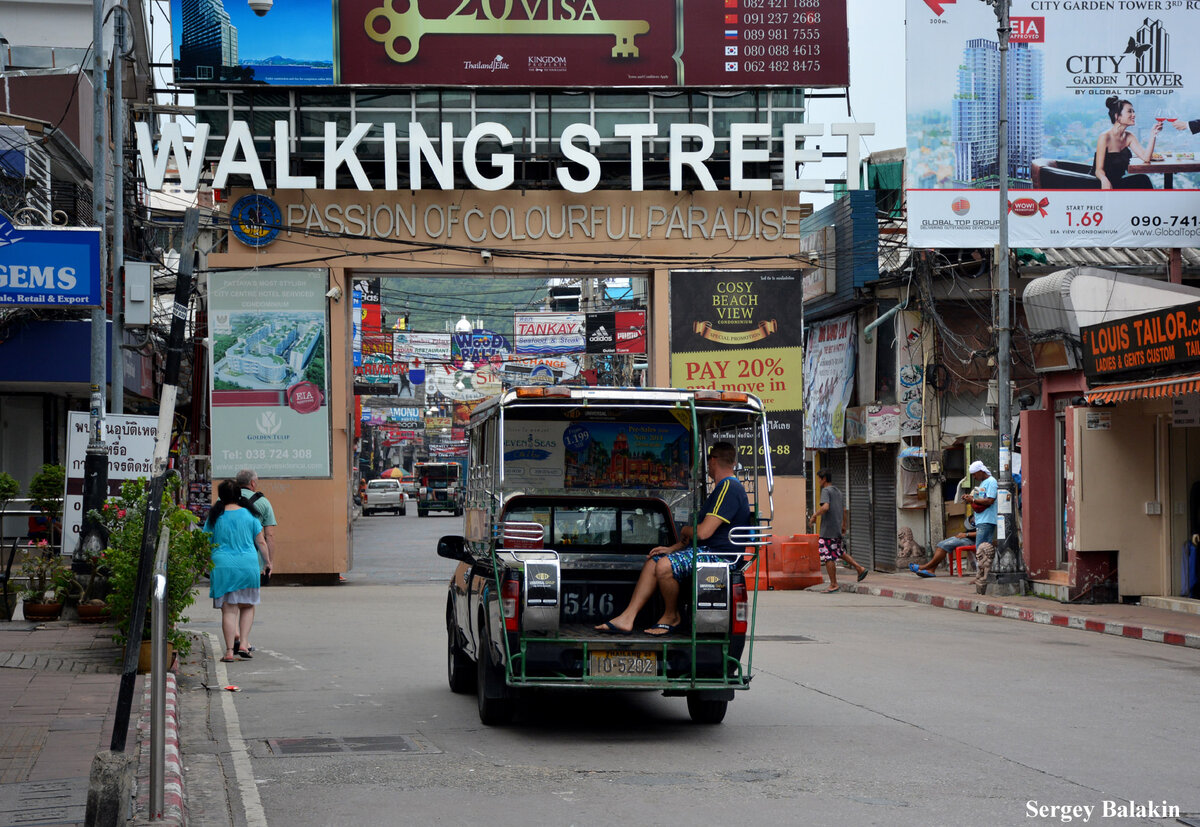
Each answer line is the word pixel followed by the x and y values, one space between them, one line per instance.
pixel 1103 115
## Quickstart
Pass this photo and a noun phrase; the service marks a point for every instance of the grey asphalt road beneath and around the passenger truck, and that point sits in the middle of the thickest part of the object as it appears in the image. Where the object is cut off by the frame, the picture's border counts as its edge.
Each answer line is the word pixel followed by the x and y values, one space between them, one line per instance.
pixel 863 711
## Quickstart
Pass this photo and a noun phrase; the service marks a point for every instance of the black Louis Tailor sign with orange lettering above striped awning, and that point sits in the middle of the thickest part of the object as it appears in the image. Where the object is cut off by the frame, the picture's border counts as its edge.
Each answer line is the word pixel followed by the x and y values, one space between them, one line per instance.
pixel 1167 337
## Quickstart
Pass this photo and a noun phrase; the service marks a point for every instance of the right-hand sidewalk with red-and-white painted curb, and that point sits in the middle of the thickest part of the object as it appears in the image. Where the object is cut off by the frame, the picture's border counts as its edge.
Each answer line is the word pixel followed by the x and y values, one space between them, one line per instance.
pixel 1160 626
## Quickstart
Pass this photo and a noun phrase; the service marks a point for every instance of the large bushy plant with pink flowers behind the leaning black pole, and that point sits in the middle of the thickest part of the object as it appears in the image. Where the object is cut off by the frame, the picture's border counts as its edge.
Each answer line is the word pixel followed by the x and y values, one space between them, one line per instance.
pixel 188 558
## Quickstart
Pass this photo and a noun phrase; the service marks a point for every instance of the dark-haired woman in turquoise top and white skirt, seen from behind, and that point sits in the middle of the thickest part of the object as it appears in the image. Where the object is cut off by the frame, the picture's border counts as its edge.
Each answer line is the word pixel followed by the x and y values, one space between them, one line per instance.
pixel 238 543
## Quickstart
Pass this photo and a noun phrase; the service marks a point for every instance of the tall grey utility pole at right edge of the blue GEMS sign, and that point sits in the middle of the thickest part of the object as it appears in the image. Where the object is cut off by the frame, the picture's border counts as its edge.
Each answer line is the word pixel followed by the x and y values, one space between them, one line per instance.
pixel 95 482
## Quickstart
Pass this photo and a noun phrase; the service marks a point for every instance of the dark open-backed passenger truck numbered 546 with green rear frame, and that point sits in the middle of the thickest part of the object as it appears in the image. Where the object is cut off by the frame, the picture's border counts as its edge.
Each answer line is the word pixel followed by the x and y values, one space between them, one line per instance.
pixel 569 490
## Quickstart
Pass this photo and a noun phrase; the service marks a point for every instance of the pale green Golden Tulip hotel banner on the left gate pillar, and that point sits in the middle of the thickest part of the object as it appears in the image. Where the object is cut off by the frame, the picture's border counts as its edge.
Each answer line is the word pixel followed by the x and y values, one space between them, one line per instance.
pixel 271 388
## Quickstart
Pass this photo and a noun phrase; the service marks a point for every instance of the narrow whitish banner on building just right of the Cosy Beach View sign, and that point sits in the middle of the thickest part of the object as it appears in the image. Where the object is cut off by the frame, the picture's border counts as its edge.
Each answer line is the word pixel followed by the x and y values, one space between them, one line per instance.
pixel 829 381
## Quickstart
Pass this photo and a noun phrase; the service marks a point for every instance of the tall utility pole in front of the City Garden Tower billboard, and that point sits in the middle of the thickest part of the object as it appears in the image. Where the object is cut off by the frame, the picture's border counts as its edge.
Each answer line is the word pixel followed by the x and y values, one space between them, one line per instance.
pixel 1007 576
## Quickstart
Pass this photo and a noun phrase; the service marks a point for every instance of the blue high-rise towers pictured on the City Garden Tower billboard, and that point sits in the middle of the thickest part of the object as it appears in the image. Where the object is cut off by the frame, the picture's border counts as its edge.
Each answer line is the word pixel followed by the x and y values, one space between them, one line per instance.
pixel 975 122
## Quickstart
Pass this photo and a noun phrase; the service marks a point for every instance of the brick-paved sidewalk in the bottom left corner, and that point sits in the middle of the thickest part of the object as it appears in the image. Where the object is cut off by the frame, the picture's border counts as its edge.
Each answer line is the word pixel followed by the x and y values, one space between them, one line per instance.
pixel 59 685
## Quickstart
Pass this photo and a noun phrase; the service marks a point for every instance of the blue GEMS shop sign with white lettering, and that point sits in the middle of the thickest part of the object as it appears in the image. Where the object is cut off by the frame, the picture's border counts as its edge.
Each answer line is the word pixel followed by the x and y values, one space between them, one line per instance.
pixel 50 268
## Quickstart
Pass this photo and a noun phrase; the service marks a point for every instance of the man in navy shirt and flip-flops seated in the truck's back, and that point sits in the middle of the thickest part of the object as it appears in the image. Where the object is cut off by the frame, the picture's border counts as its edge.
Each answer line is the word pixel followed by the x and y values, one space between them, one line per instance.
pixel 667 567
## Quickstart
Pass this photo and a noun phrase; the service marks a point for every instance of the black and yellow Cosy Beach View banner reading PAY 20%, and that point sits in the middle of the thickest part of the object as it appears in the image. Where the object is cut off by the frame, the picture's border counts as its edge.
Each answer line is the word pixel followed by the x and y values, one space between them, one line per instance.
pixel 735 331
